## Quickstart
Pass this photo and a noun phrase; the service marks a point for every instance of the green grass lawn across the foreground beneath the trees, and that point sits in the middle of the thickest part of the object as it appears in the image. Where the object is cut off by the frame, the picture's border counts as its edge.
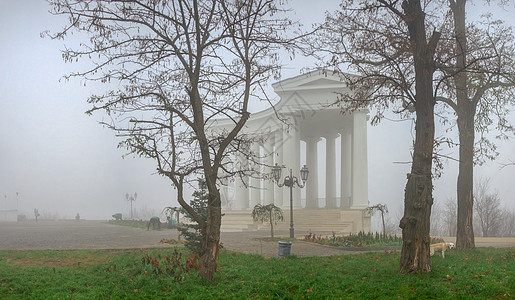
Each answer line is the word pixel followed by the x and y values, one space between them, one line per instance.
pixel 485 273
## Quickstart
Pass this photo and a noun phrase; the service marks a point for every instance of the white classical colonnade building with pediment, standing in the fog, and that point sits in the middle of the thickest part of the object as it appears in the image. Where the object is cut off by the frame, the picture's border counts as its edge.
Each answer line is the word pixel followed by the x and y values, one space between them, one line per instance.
pixel 304 128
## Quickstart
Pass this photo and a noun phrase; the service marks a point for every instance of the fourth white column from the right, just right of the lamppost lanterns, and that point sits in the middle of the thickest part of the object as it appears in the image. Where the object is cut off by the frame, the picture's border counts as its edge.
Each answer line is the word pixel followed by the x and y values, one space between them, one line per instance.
pixel 312 164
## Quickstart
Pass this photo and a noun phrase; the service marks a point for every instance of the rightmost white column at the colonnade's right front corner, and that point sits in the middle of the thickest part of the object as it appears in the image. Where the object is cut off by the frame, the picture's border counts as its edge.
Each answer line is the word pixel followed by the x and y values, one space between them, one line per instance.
pixel 359 161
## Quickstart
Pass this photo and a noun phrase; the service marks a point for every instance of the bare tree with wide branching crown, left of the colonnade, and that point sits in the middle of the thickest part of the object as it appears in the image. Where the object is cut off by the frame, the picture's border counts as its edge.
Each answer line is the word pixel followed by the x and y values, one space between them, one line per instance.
pixel 178 66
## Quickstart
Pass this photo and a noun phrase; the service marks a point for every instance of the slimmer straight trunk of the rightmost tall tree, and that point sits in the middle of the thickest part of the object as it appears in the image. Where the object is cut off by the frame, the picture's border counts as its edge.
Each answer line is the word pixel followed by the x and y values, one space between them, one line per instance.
pixel 465 112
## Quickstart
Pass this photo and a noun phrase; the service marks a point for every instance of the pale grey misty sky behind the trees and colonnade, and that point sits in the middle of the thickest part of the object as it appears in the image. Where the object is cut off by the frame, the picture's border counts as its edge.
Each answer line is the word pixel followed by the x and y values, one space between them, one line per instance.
pixel 63 162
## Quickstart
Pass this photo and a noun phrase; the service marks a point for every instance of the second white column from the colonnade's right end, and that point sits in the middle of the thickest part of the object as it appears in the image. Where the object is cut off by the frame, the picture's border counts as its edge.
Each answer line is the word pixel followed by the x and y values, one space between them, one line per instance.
pixel 346 168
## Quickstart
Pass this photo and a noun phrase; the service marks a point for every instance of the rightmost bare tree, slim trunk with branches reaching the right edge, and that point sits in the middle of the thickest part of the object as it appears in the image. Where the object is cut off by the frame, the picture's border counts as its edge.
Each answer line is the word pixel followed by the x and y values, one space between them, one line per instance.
pixel 478 79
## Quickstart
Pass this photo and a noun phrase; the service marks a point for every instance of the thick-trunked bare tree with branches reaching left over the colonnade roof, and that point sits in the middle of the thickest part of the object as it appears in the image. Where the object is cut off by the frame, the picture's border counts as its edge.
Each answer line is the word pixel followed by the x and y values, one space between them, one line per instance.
pixel 387 45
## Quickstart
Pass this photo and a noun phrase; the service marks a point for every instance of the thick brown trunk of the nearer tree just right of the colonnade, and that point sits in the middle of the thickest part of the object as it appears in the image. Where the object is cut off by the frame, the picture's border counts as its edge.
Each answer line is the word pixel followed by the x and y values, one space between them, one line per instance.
pixel 418 199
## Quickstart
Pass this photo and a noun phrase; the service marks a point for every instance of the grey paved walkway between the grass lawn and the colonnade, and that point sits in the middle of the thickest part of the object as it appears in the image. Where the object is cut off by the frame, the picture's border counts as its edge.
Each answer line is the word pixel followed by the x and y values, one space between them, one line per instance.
pixel 61 235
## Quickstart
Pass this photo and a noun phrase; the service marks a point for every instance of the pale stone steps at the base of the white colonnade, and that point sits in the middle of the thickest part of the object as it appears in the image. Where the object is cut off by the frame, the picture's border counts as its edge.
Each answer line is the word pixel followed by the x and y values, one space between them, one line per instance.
pixel 316 221
